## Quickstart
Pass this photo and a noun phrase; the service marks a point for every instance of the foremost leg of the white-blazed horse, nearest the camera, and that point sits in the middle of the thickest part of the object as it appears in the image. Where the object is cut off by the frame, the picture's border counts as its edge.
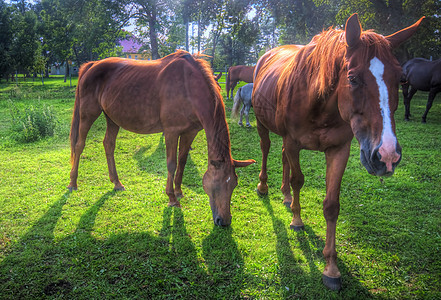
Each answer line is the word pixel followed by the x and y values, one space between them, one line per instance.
pixel 336 160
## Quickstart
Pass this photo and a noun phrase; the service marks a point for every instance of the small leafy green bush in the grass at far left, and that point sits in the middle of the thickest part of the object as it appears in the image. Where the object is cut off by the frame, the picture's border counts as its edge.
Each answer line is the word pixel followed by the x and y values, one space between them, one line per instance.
pixel 32 124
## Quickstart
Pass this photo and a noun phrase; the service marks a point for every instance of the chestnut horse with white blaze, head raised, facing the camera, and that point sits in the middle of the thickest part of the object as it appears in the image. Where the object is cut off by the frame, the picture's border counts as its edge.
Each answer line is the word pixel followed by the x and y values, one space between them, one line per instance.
pixel 317 97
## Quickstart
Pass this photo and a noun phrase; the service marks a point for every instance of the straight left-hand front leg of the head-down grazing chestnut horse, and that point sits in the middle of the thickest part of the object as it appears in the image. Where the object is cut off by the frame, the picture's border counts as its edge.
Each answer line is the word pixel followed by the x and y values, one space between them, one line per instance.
pixel 171 145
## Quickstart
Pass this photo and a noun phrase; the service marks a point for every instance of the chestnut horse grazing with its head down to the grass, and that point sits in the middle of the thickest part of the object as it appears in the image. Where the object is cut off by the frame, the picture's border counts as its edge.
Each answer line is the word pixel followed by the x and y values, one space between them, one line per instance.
pixel 176 95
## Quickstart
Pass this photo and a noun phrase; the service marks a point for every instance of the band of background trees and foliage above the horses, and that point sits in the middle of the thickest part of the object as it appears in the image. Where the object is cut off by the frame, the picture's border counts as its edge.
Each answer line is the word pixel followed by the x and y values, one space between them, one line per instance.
pixel 231 32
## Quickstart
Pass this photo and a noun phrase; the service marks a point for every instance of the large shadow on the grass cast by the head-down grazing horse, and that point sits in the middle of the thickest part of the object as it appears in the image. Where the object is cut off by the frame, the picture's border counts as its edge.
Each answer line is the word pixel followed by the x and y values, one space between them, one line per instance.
pixel 128 265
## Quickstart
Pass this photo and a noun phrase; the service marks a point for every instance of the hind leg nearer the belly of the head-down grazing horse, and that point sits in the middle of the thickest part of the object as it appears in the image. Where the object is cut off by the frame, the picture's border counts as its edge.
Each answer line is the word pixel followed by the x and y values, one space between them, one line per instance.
pixel 109 147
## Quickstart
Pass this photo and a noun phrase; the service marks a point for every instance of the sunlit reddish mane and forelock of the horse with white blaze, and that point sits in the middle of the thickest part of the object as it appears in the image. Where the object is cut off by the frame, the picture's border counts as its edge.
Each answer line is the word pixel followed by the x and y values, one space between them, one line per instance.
pixel 324 57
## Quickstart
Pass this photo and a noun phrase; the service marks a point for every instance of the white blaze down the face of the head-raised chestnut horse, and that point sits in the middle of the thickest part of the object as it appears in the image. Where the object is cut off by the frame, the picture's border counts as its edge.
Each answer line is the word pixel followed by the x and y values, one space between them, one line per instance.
pixel 389 141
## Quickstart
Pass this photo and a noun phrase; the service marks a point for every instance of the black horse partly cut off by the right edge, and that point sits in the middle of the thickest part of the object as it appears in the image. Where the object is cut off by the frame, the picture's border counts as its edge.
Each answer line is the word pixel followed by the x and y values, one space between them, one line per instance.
pixel 424 75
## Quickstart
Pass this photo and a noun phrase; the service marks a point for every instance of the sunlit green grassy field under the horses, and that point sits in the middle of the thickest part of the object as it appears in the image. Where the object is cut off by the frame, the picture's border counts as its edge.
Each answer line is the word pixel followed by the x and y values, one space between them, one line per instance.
pixel 96 243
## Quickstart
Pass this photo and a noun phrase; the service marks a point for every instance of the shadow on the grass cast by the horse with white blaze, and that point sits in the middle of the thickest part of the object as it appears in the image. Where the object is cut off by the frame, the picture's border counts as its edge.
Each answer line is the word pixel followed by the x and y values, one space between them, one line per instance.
pixel 295 281
